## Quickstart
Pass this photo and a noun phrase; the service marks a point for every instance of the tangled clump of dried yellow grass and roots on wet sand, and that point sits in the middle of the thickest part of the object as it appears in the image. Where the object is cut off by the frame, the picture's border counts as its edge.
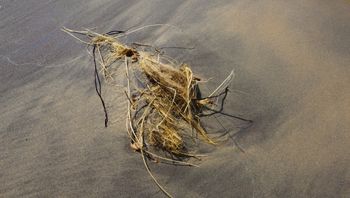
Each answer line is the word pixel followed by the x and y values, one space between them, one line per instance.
pixel 165 104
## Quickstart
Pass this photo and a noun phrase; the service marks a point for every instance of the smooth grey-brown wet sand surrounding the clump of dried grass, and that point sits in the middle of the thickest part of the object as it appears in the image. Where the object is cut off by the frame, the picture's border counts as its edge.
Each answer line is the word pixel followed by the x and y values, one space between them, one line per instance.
pixel 292 78
